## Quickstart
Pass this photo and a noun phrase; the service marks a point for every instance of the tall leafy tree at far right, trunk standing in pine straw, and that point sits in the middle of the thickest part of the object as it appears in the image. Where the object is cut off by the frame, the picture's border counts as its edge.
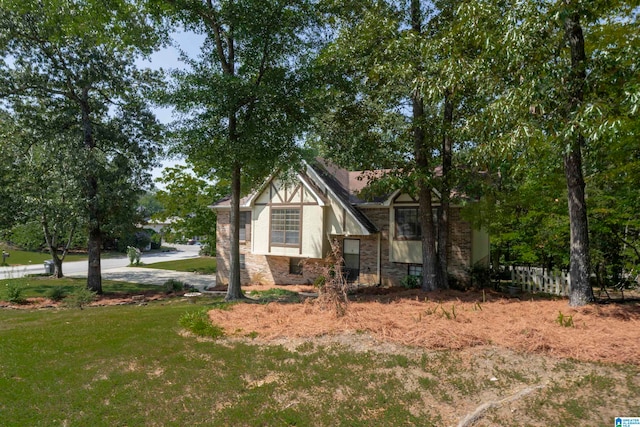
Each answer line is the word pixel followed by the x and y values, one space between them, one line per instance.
pixel 559 63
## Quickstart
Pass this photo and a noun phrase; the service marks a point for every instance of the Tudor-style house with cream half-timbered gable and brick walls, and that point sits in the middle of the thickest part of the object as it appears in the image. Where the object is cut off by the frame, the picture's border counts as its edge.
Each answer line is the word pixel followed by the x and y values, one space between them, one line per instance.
pixel 286 226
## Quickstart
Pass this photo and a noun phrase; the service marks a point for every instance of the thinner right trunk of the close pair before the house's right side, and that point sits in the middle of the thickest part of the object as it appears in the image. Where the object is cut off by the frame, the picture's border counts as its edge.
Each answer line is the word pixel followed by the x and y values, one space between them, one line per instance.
pixel 445 191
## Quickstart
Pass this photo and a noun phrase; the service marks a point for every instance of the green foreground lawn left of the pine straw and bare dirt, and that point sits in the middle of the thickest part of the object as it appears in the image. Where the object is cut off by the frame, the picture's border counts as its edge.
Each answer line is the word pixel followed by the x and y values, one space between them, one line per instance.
pixel 139 369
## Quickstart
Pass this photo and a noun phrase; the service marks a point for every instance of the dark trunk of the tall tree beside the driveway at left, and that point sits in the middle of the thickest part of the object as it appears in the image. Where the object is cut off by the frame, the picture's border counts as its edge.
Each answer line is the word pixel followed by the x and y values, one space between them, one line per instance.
pixel 94 244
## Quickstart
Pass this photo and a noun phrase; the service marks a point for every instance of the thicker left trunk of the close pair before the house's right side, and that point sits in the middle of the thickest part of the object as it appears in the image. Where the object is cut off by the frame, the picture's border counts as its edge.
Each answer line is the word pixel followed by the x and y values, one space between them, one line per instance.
pixel 430 276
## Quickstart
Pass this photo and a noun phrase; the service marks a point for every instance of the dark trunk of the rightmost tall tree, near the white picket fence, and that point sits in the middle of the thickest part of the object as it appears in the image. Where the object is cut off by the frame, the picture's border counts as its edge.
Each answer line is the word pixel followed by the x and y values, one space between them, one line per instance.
pixel 581 291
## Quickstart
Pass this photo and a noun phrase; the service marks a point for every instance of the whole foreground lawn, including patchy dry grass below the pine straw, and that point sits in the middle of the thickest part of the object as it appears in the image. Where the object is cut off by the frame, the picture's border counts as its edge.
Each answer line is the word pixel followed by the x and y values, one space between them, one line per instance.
pixel 133 365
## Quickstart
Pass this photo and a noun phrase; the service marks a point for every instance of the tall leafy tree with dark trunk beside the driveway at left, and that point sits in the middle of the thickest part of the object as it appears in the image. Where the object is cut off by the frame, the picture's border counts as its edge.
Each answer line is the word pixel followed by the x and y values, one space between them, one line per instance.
pixel 78 59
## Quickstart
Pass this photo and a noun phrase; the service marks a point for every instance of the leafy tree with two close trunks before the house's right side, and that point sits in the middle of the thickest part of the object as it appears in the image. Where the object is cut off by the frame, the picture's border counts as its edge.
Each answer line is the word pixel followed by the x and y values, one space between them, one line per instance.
pixel 401 93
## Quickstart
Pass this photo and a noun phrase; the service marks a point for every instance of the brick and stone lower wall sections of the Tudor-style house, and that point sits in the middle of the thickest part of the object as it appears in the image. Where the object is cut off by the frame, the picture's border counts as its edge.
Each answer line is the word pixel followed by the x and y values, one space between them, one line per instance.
pixel 275 269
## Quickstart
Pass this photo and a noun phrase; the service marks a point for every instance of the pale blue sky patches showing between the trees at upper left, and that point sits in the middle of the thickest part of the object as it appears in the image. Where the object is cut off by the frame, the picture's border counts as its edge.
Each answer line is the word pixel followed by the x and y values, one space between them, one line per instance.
pixel 169 58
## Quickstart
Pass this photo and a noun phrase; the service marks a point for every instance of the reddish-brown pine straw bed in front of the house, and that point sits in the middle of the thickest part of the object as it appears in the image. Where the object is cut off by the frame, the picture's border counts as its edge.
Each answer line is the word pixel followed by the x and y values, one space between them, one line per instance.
pixel 455 320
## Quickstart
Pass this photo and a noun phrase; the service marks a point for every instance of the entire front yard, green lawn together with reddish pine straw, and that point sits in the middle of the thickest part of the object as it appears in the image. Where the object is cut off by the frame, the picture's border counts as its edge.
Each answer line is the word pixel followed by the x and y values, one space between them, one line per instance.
pixel 135 365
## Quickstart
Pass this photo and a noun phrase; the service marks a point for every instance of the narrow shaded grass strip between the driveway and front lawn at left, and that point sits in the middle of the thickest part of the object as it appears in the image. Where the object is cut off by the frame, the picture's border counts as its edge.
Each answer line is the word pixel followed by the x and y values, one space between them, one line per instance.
pixel 41 286
